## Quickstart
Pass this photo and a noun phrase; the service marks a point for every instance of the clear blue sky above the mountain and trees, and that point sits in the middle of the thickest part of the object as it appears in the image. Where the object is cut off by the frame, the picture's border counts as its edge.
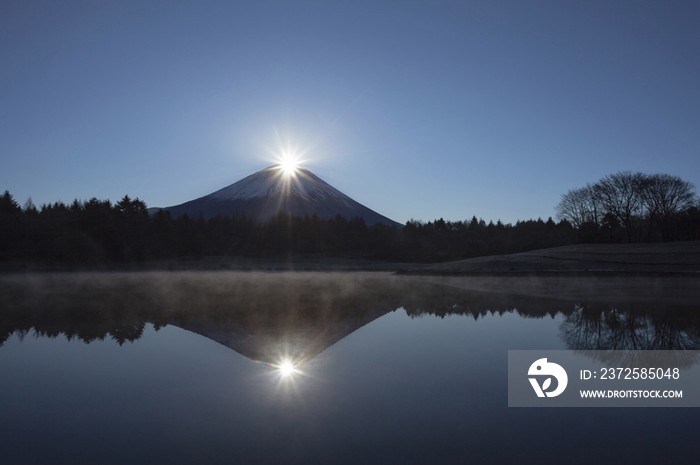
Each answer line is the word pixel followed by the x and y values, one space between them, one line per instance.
pixel 416 109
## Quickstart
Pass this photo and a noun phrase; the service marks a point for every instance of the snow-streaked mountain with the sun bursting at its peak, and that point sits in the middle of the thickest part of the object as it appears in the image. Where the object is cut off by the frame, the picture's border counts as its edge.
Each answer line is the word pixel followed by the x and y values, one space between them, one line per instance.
pixel 274 189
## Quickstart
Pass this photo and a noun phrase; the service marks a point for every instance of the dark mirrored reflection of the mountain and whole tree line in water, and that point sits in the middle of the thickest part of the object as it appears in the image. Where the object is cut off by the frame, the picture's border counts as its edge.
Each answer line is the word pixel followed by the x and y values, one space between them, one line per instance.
pixel 266 317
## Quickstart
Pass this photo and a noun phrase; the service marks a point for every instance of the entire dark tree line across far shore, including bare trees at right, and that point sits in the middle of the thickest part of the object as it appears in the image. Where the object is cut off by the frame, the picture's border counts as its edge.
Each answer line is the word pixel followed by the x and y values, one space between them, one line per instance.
pixel 624 207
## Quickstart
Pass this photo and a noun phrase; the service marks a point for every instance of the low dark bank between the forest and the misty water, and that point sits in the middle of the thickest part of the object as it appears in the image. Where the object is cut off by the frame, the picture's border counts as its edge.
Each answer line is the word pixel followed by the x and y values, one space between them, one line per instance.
pixel 580 260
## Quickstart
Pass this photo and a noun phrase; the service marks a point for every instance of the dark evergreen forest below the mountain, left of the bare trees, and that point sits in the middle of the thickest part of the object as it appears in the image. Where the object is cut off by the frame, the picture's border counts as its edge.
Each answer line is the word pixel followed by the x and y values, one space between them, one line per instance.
pixel 99 231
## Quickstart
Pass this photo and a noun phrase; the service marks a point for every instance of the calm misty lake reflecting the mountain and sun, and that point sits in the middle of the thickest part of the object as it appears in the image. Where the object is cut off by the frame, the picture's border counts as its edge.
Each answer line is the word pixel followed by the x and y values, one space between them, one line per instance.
pixel 245 367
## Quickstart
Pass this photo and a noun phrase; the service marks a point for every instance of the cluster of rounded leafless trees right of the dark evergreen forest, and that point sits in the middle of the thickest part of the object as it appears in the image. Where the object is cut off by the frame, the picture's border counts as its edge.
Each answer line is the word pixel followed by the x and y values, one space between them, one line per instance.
pixel 633 207
